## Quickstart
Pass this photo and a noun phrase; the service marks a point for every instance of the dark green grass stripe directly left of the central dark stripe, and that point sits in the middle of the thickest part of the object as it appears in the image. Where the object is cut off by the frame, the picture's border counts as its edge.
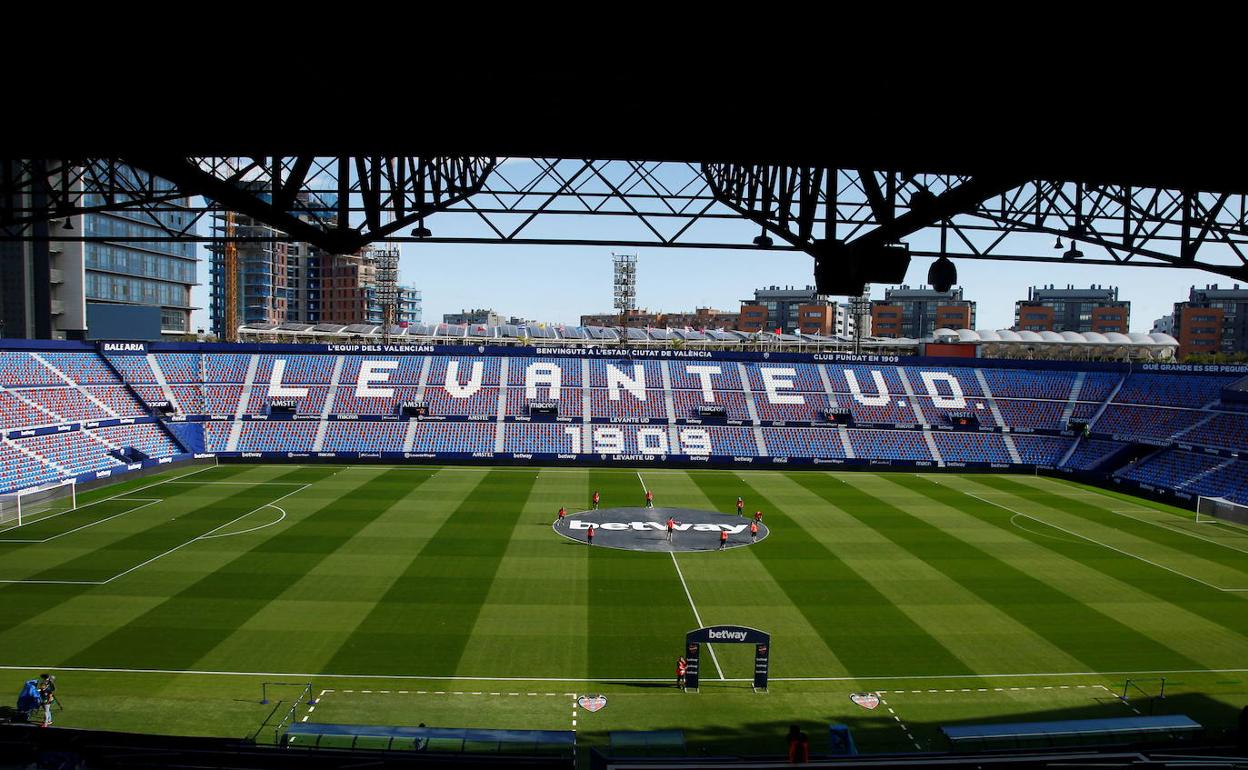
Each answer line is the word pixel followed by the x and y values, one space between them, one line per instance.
pixel 441 593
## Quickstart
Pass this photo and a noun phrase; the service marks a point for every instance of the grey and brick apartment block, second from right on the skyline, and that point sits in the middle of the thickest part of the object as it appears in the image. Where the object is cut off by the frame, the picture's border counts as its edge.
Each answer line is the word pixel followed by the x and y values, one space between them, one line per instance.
pixel 1096 309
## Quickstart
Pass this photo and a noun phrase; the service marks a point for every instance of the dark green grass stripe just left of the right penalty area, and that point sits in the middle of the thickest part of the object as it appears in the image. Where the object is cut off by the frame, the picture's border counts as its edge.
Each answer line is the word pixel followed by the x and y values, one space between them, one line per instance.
pixel 1084 632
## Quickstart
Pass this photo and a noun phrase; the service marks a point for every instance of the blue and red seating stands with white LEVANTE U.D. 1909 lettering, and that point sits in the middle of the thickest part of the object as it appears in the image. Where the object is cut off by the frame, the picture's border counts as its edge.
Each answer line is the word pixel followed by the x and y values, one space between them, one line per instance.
pixel 72 410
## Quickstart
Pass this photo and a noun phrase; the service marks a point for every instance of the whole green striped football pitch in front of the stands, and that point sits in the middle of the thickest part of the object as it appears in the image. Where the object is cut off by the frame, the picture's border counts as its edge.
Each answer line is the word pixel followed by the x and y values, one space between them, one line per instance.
pixel 442 596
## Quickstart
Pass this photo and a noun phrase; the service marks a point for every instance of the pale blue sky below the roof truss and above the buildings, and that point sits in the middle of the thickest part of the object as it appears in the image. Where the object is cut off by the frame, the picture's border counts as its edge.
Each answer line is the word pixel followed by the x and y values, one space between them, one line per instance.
pixel 560 284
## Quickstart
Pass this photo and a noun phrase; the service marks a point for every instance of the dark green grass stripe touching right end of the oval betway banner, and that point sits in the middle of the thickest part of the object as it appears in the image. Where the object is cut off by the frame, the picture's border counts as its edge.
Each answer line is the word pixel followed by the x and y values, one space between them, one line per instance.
pixel 863 628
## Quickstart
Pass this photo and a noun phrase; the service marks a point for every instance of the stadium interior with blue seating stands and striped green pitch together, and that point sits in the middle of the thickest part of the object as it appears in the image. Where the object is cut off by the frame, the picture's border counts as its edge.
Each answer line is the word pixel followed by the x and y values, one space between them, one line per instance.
pixel 300 546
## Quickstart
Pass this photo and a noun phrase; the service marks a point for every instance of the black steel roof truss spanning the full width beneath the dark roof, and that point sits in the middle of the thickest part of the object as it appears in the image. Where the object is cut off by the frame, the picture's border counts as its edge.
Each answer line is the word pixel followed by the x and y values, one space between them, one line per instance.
pixel 842 217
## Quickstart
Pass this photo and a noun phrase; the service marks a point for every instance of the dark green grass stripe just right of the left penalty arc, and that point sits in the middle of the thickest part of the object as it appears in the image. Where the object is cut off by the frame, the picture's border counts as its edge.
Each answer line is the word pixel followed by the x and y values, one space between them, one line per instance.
pixel 183 628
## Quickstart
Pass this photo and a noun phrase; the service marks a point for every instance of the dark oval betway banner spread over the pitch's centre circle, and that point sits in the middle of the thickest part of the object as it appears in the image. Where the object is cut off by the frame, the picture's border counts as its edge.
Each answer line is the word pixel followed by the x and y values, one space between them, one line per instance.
pixel 646 530
